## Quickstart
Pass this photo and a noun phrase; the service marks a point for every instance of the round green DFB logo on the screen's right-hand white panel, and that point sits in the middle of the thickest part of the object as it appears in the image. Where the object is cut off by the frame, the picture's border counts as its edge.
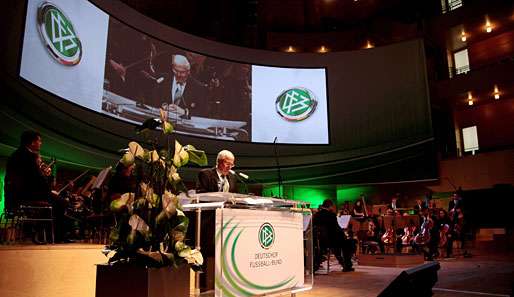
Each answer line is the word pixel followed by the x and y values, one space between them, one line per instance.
pixel 296 104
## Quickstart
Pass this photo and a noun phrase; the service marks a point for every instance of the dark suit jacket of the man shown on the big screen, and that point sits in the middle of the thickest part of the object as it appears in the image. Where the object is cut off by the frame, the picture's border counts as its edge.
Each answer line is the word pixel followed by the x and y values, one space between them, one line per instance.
pixel 195 96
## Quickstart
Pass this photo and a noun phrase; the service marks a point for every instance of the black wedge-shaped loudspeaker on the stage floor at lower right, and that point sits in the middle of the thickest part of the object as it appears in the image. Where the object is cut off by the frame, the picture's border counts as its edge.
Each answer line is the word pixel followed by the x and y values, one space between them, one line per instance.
pixel 417 281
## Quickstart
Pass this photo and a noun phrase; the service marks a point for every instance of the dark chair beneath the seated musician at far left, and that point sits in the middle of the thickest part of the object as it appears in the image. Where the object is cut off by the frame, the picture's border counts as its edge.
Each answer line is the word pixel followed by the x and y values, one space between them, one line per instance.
pixel 37 215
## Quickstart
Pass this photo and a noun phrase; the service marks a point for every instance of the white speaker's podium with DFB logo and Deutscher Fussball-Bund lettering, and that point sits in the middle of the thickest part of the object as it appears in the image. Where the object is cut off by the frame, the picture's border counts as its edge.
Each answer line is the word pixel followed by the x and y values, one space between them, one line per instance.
pixel 263 246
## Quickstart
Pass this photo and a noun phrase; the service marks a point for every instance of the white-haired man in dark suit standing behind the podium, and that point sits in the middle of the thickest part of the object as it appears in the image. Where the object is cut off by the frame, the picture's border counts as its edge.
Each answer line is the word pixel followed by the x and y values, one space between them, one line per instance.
pixel 219 178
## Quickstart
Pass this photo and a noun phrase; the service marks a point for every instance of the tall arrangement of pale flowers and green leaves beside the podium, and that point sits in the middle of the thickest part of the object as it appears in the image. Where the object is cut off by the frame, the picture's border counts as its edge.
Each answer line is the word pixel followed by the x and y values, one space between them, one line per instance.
pixel 150 223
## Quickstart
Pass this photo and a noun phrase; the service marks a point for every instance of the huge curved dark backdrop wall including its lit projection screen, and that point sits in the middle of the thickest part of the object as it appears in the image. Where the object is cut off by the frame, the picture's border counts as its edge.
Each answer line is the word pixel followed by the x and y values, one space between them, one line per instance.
pixel 376 126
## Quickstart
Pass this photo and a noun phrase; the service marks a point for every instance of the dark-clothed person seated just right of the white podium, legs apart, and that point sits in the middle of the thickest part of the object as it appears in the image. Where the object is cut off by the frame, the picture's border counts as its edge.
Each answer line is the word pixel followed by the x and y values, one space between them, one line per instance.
pixel 329 235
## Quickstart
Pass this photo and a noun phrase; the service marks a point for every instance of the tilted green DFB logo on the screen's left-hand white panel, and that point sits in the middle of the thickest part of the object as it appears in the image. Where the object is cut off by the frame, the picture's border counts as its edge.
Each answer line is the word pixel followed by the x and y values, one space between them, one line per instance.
pixel 58 35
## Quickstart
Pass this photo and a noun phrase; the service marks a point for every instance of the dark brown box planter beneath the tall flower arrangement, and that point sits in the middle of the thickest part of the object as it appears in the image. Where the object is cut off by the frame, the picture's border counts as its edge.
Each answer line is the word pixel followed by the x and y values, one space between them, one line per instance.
pixel 134 281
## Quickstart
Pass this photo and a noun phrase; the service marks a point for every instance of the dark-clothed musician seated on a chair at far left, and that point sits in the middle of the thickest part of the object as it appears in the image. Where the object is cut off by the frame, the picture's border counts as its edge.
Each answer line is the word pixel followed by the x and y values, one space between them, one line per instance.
pixel 27 182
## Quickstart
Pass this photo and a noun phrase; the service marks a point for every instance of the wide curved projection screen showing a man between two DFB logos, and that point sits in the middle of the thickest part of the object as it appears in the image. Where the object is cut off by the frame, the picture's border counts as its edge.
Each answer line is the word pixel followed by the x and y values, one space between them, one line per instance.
pixel 76 51
